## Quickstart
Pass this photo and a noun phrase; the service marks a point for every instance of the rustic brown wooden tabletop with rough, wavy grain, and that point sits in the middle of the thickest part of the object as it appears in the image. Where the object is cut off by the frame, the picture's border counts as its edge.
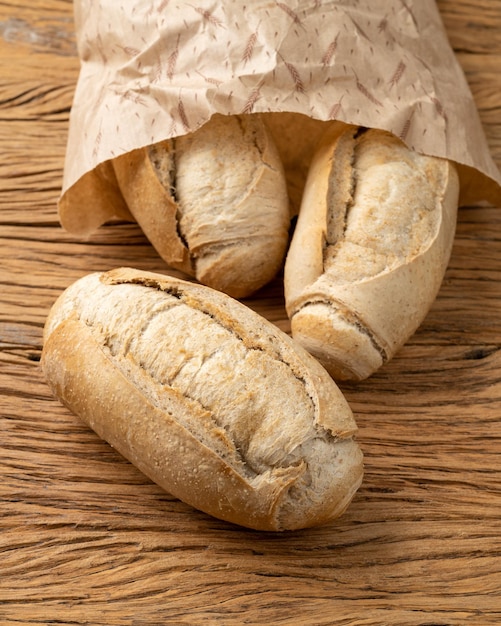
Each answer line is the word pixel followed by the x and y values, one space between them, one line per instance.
pixel 86 539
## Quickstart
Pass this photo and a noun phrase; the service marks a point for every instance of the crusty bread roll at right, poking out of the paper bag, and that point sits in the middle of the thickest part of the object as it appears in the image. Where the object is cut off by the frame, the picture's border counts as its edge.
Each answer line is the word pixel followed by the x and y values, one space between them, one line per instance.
pixel 370 248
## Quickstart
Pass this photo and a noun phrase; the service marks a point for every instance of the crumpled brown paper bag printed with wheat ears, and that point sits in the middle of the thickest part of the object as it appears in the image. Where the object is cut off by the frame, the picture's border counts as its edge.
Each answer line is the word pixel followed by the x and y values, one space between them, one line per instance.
pixel 154 69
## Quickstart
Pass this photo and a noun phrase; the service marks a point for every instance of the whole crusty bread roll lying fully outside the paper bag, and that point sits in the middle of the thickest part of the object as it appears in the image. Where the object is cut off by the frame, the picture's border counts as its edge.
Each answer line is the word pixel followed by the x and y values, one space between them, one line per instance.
pixel 206 397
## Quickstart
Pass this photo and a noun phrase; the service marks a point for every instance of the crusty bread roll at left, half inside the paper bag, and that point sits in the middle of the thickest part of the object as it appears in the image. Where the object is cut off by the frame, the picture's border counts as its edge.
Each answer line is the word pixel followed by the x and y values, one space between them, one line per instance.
pixel 213 203
